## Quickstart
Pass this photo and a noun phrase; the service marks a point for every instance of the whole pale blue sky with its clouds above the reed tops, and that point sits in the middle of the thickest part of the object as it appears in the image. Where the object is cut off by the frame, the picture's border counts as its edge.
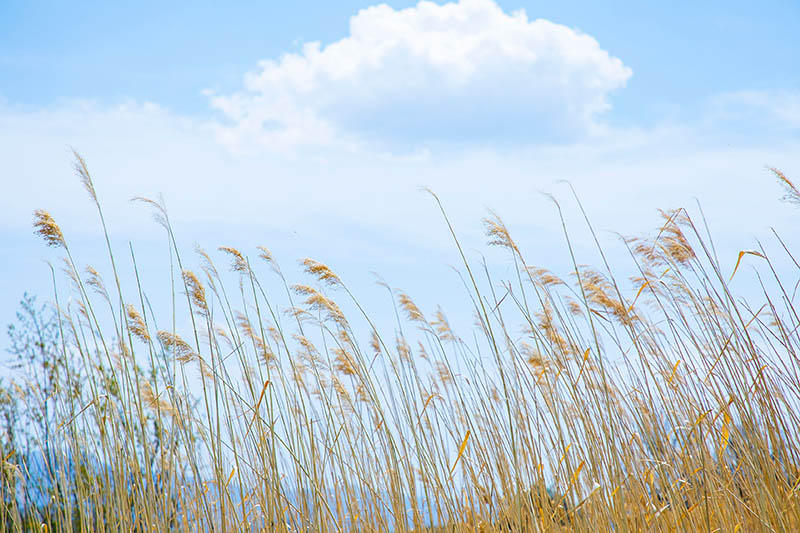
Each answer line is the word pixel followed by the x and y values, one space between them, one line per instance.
pixel 310 127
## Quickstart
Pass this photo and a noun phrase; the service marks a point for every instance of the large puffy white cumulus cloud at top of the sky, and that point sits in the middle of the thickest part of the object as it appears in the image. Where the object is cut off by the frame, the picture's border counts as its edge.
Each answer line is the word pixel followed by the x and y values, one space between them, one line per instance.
pixel 458 71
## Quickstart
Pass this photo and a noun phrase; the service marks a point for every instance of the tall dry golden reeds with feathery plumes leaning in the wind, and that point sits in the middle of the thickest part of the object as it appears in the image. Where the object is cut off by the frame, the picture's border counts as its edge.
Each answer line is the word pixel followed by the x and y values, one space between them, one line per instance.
pixel 660 402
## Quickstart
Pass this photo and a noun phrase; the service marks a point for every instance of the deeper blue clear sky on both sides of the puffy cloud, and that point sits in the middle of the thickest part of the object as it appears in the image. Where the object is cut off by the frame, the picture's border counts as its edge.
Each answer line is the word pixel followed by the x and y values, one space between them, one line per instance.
pixel 682 52
